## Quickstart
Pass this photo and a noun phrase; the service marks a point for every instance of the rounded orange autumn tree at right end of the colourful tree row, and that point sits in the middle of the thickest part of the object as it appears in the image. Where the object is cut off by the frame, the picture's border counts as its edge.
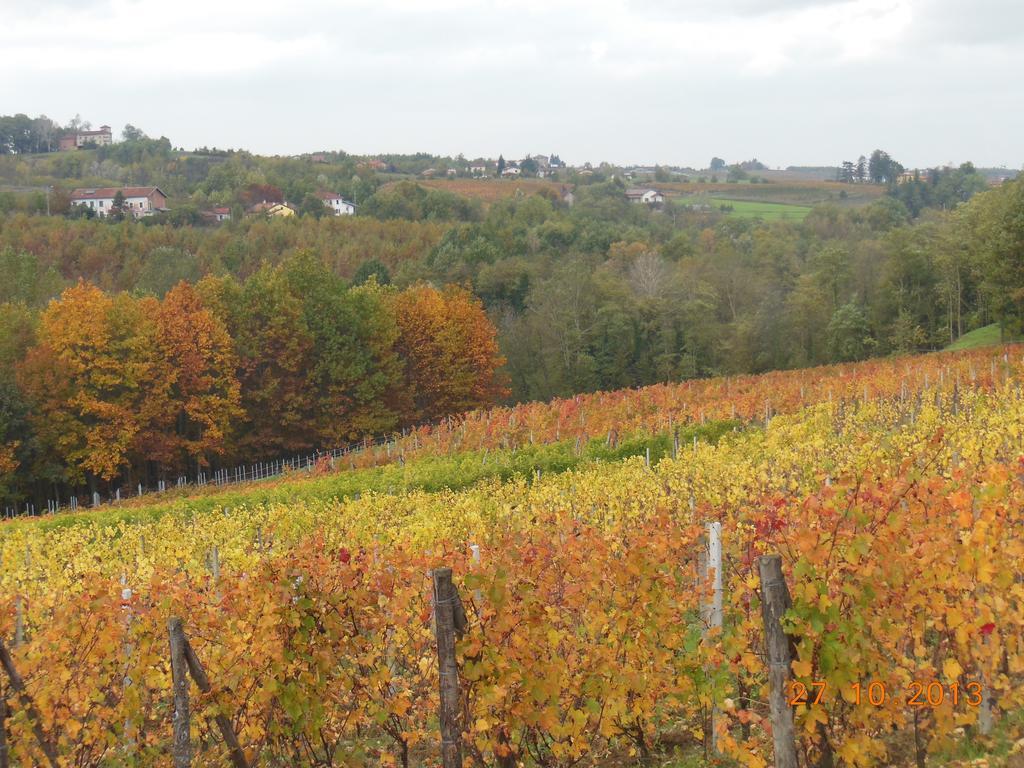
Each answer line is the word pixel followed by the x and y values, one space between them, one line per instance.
pixel 451 352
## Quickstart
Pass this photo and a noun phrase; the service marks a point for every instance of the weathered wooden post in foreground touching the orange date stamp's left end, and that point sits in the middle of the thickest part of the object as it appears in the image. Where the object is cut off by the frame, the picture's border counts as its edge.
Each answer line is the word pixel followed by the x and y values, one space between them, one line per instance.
pixel 776 602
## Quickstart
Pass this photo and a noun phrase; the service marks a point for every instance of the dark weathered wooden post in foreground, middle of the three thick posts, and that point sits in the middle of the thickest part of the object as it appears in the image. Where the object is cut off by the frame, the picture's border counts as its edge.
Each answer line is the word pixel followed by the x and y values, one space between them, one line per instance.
pixel 450 618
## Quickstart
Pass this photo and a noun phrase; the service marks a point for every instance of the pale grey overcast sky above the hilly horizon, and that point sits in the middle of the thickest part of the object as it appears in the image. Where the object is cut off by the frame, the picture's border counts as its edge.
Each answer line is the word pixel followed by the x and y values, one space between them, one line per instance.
pixel 791 82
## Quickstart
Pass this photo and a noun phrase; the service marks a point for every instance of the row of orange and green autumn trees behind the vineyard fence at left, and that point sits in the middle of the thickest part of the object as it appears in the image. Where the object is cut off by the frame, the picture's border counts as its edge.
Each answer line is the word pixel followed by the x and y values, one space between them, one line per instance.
pixel 101 390
